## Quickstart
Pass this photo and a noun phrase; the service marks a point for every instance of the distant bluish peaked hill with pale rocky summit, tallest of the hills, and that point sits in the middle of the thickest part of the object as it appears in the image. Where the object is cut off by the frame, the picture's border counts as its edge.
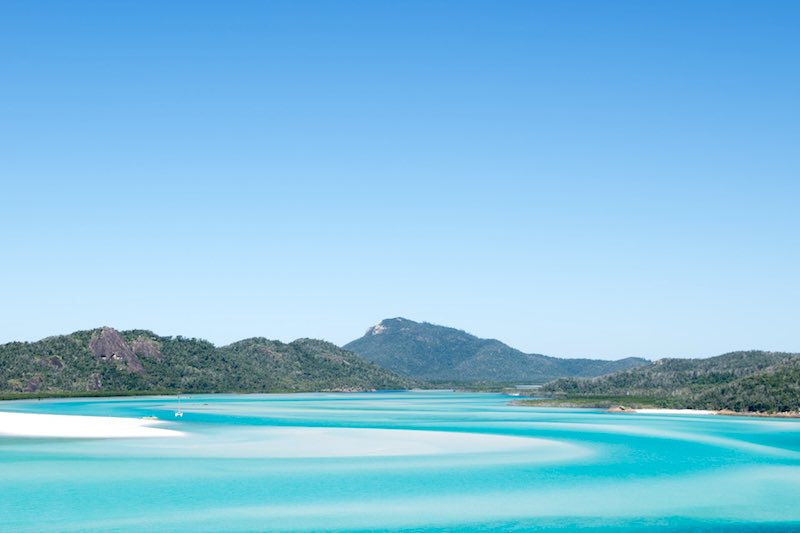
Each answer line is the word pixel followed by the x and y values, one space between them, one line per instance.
pixel 438 353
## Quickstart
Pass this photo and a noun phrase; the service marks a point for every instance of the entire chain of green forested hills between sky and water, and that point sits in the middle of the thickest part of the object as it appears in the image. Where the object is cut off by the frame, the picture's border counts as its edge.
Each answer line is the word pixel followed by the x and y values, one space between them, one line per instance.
pixel 105 361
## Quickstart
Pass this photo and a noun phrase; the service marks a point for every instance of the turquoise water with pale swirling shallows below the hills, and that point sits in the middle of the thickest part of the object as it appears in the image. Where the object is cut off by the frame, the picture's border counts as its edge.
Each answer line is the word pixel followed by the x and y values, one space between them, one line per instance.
pixel 407 461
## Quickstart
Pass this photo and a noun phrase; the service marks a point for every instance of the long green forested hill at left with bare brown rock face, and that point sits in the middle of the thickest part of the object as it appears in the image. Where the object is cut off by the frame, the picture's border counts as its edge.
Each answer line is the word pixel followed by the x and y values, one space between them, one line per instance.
pixel 105 360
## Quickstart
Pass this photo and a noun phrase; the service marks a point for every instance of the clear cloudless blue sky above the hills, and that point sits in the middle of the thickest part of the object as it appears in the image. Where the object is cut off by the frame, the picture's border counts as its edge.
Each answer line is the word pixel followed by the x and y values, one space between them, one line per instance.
pixel 574 178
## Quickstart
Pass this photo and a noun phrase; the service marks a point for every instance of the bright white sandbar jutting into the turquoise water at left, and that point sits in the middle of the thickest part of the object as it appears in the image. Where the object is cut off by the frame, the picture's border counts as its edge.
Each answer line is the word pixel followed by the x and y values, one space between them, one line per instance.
pixel 81 427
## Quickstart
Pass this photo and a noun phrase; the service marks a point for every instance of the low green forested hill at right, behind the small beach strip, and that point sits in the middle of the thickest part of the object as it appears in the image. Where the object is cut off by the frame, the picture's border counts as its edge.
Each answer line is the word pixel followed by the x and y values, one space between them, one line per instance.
pixel 740 381
